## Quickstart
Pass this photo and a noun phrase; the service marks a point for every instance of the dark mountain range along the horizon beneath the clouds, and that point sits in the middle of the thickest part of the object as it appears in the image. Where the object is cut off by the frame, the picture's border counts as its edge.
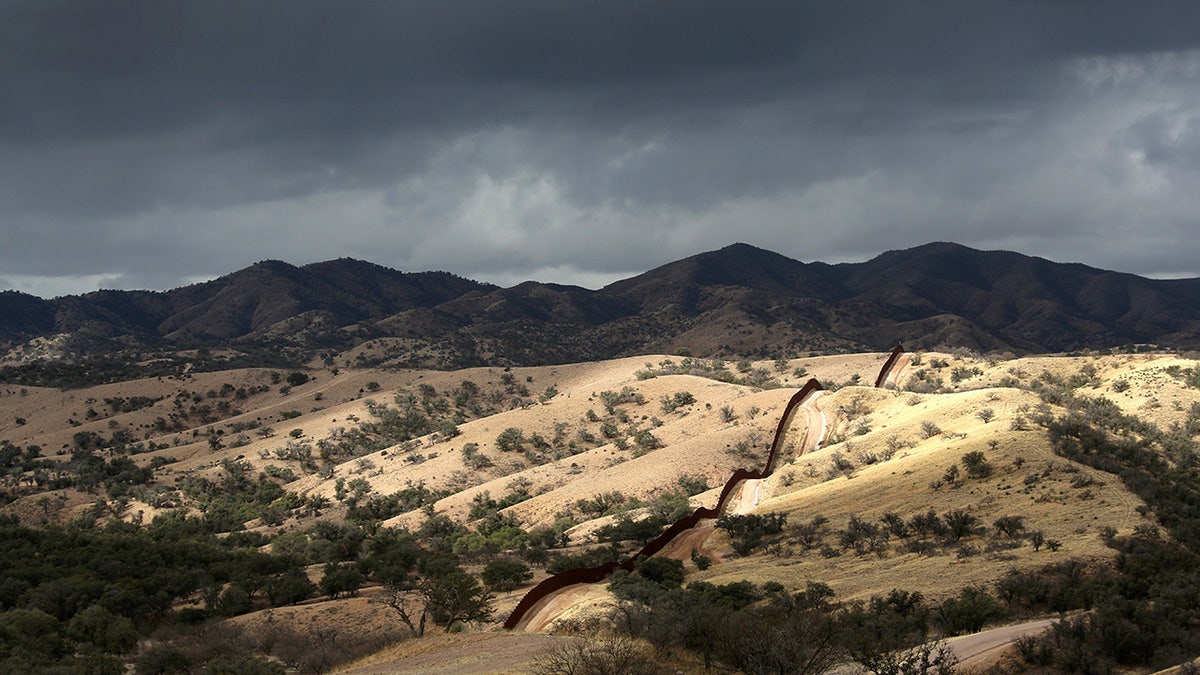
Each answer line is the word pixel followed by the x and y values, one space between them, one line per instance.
pixel 739 301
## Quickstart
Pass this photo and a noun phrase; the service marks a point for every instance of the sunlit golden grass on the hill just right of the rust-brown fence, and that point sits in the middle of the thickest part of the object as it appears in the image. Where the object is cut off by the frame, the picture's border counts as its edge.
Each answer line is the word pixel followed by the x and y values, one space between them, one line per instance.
pixel 903 486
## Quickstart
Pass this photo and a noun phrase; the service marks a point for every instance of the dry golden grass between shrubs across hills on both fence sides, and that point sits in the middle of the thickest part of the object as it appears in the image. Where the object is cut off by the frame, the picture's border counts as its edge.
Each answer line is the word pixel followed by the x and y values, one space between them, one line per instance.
pixel 862 422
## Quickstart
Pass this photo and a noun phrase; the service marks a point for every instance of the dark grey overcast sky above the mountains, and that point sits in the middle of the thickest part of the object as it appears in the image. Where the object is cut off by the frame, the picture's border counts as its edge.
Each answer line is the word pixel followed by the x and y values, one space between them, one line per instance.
pixel 153 145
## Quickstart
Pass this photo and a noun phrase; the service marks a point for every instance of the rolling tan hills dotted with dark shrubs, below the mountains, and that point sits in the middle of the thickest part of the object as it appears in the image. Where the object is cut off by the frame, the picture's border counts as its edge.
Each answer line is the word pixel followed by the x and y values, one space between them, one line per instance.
pixel 319 468
